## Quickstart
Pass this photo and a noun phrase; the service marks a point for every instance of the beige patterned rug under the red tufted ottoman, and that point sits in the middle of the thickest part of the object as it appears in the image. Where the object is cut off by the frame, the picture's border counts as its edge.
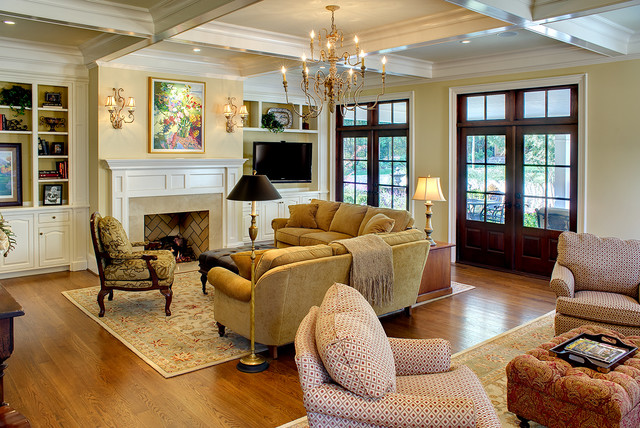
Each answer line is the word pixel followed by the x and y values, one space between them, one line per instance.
pixel 489 359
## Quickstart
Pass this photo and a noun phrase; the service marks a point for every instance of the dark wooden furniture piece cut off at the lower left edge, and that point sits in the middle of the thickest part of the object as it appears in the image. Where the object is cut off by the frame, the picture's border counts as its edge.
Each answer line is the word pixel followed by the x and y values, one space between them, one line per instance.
pixel 9 309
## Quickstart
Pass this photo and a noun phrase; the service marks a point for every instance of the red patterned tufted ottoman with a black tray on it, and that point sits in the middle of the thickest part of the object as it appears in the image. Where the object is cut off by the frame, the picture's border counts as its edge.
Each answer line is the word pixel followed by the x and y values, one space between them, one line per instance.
pixel 548 390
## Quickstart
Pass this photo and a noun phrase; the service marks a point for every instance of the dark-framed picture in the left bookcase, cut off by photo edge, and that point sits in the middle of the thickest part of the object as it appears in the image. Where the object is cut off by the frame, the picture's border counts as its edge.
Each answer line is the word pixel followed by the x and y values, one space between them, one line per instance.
pixel 10 174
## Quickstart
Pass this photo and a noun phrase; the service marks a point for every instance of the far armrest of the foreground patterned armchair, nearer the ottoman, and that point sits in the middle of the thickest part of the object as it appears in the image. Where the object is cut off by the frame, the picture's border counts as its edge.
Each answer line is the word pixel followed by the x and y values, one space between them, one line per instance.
pixel 420 356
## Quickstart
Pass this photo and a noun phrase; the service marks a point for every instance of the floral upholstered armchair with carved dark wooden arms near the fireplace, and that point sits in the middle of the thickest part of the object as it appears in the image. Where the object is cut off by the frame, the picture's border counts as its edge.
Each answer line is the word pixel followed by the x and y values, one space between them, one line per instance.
pixel 121 268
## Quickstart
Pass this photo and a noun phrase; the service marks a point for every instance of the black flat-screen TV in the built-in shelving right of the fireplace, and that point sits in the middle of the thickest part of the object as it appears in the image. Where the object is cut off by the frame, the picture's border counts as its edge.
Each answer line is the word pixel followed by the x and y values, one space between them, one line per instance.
pixel 283 162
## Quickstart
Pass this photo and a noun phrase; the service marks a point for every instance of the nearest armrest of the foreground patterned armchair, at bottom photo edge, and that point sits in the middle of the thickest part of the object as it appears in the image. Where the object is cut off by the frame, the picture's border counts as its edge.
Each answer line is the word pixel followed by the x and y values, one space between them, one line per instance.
pixel 391 410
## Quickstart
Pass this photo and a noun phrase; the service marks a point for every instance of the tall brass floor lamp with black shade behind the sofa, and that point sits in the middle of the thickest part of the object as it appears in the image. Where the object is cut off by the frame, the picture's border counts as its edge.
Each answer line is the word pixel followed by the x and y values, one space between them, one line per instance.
pixel 253 188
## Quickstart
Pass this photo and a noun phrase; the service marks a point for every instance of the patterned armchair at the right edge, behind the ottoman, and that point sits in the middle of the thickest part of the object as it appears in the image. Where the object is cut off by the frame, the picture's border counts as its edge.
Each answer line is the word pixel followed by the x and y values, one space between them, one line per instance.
pixel 596 281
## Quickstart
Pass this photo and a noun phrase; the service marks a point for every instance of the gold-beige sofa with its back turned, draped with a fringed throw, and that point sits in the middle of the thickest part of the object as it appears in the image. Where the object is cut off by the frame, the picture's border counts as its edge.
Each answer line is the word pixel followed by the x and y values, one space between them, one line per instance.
pixel 292 280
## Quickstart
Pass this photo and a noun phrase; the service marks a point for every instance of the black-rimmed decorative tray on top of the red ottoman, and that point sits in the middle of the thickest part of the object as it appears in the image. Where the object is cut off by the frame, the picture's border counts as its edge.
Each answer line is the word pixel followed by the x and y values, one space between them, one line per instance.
pixel 599 352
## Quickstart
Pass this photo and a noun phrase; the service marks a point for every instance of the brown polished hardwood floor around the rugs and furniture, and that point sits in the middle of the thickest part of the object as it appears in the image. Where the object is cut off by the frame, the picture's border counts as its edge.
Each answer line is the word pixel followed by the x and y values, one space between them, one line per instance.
pixel 66 371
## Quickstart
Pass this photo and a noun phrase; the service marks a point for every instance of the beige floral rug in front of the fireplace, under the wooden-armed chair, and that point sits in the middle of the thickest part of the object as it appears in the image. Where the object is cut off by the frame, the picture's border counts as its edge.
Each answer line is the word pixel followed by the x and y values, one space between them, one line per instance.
pixel 181 343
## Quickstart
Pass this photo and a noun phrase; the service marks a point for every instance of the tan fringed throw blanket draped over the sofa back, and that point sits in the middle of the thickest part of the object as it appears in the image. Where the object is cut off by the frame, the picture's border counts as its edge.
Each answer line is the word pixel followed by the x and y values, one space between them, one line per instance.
pixel 371 268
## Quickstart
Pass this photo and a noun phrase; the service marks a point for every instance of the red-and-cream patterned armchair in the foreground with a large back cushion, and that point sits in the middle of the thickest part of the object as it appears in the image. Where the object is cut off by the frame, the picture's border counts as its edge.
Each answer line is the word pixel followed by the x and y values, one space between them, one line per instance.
pixel 353 375
